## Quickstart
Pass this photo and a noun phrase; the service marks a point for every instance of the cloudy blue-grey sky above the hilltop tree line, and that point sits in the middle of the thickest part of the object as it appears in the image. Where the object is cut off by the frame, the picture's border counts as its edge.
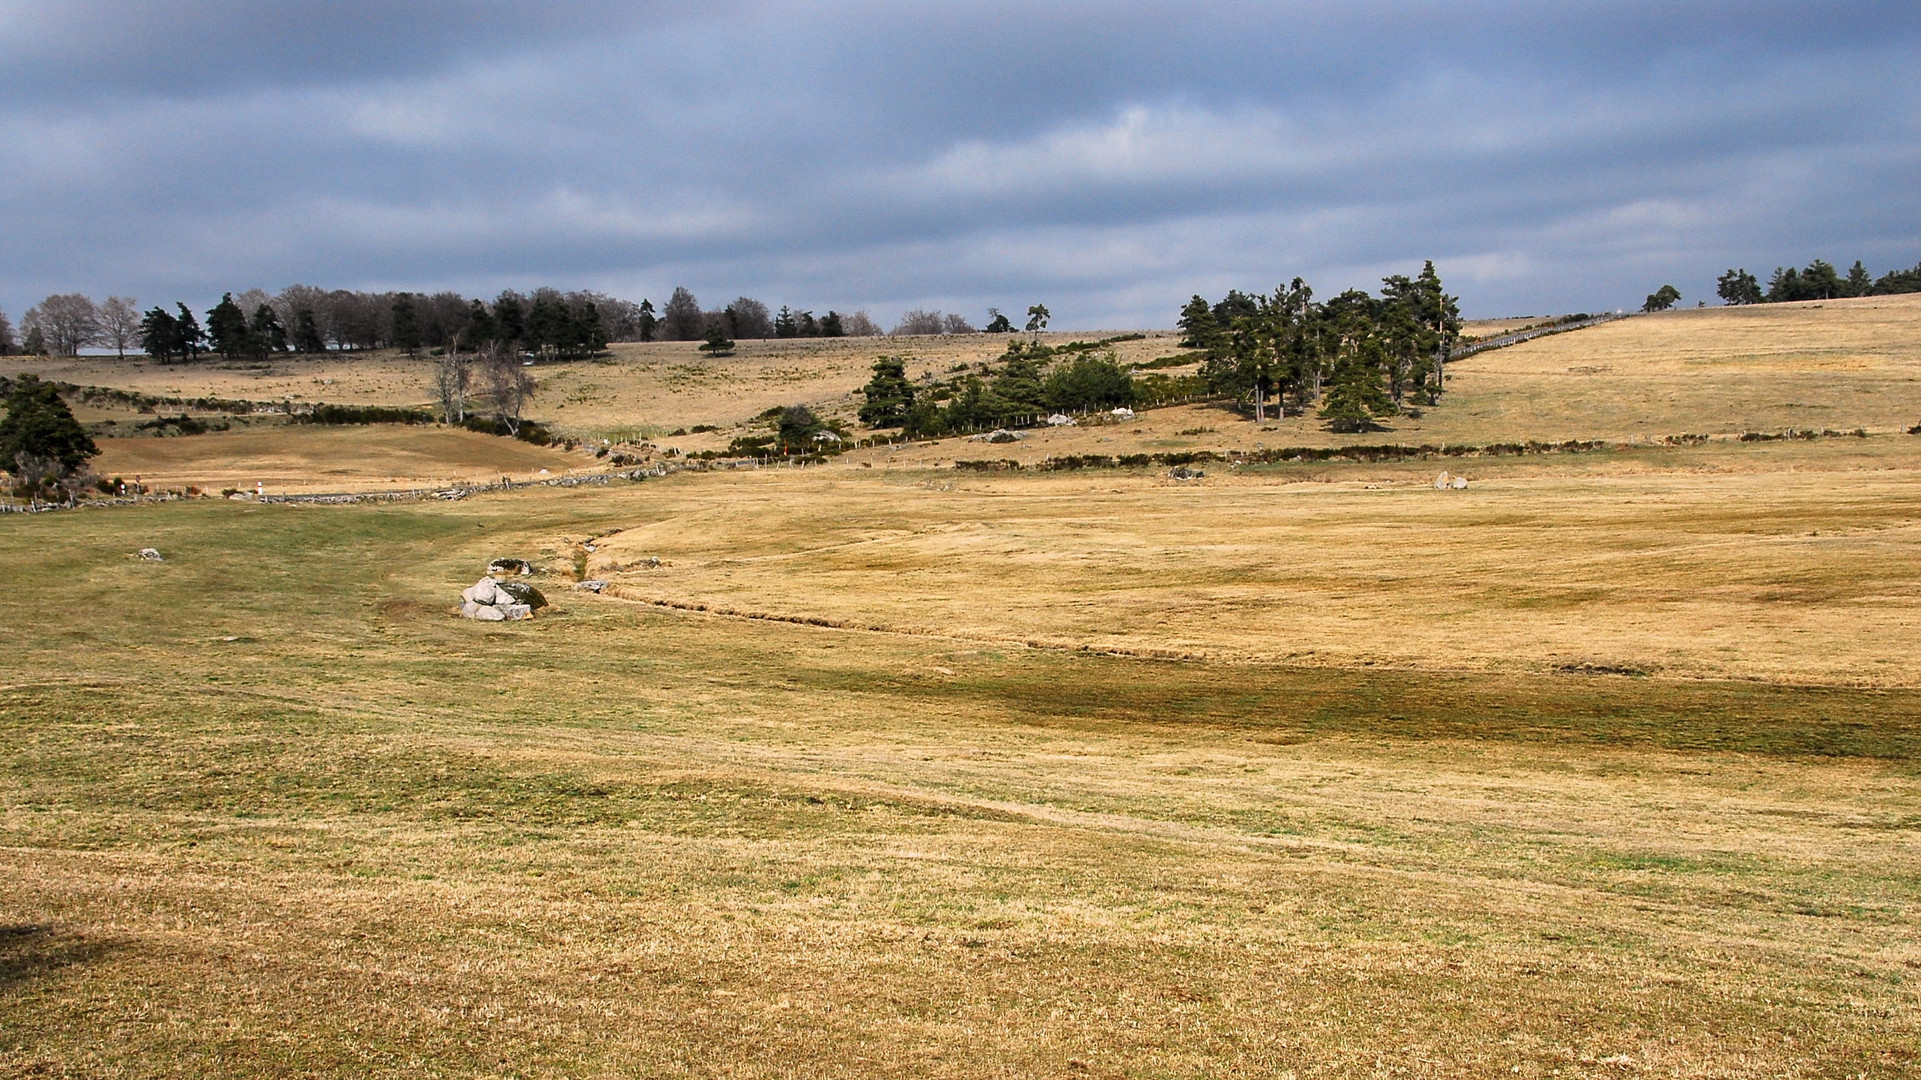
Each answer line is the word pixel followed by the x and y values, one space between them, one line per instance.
pixel 1107 160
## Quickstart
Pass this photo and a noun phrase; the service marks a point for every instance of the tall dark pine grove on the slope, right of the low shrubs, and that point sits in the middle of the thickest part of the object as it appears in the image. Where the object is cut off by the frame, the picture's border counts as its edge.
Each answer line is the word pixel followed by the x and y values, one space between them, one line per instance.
pixel 1359 356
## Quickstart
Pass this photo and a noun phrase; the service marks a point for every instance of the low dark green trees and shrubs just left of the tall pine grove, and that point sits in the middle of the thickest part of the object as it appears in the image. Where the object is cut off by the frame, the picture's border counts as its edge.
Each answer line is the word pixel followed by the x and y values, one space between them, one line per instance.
pixel 1027 383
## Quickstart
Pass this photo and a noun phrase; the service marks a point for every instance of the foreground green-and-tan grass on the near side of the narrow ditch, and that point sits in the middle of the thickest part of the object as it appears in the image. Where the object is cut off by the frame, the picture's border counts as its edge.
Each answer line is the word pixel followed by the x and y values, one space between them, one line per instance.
pixel 333 831
